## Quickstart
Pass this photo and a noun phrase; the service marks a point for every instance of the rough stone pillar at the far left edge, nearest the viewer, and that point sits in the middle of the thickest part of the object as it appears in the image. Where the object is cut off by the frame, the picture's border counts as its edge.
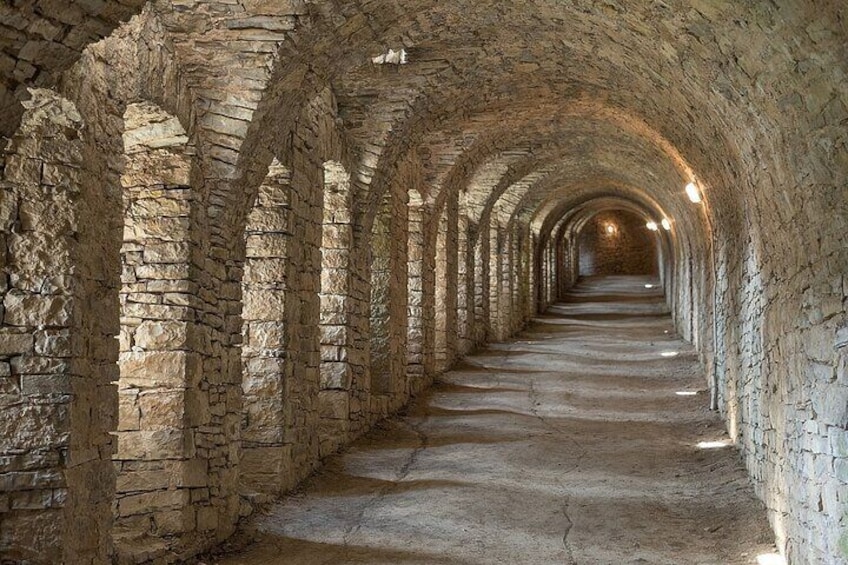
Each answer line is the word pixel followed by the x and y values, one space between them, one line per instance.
pixel 57 350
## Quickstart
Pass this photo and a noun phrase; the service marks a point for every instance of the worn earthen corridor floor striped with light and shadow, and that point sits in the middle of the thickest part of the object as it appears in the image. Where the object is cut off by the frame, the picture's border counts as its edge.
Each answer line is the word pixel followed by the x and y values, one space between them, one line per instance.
pixel 568 444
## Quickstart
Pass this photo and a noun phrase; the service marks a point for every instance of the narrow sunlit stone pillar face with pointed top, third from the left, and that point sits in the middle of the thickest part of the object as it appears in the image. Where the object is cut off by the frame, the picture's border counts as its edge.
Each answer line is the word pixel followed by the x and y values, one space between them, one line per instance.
pixel 265 466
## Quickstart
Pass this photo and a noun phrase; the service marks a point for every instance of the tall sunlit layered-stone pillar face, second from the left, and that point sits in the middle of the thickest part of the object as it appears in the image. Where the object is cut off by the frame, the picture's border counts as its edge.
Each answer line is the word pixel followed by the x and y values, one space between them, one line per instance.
pixel 162 487
